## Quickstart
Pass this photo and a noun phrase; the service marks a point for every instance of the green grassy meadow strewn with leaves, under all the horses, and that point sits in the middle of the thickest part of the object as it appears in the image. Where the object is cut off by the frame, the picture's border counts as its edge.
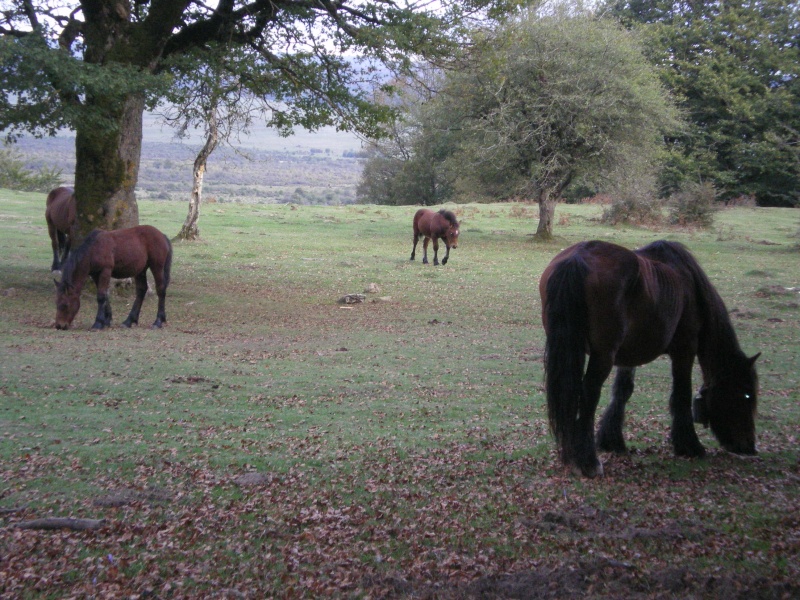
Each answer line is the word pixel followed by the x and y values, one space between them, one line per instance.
pixel 272 442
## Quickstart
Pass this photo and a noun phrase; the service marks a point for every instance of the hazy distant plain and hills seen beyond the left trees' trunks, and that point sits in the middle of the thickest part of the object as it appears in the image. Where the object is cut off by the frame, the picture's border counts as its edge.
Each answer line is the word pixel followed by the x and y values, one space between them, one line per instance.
pixel 307 168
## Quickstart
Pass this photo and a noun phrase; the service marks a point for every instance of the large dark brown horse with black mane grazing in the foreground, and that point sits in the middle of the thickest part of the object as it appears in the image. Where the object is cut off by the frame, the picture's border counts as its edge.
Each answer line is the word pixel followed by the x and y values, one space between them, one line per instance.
pixel 626 308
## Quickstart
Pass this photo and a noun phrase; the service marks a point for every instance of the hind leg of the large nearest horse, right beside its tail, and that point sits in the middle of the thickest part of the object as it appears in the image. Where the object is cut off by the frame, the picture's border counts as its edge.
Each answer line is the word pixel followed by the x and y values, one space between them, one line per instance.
pixel 585 453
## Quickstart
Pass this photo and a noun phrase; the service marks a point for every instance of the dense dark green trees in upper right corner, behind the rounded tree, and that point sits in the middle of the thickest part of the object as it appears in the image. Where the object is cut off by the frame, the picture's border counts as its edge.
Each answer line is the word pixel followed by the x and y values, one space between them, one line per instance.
pixel 735 68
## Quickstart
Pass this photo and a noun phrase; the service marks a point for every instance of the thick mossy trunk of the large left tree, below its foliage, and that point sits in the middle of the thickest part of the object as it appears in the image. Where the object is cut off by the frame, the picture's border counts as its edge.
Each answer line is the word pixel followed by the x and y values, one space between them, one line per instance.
pixel 107 169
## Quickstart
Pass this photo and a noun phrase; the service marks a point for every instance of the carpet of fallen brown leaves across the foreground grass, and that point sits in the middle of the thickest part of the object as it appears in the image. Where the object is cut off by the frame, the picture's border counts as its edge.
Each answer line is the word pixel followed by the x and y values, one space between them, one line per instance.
pixel 466 520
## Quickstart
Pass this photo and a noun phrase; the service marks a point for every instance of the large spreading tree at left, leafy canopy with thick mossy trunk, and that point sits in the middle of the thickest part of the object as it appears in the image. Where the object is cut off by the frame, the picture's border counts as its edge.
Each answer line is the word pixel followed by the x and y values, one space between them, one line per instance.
pixel 94 66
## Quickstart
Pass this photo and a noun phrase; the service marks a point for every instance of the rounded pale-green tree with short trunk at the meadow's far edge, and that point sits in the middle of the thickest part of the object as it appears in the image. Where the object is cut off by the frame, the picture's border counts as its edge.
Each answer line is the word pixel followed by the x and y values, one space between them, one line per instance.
pixel 556 96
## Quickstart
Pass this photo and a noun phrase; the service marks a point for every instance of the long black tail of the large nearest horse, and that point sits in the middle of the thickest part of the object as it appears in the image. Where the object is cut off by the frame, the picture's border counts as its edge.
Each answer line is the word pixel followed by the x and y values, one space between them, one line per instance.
pixel 567 318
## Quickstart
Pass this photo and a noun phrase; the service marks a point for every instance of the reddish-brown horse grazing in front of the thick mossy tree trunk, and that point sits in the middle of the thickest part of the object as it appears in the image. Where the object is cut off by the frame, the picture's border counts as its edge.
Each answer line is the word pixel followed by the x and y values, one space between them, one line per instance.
pixel 106 254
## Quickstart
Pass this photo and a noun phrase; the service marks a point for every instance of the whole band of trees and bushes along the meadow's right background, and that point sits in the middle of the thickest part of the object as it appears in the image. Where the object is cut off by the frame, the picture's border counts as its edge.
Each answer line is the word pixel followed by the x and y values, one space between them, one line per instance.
pixel 543 105
